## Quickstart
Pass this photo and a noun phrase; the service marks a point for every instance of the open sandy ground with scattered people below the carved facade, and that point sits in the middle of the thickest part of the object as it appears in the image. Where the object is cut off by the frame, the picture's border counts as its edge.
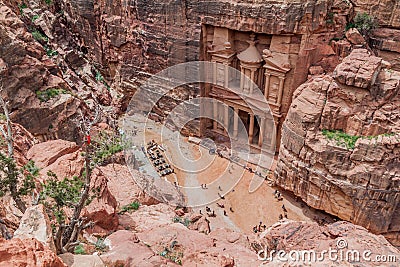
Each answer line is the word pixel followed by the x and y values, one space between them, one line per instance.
pixel 194 166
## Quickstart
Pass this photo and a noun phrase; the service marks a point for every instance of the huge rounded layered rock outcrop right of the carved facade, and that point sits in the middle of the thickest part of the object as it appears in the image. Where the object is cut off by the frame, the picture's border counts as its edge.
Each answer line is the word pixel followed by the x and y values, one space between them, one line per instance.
pixel 355 177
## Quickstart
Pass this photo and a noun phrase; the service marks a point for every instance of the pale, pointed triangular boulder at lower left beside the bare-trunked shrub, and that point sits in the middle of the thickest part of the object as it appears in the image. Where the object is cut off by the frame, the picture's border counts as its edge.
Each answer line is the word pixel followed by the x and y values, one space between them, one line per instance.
pixel 36 224
